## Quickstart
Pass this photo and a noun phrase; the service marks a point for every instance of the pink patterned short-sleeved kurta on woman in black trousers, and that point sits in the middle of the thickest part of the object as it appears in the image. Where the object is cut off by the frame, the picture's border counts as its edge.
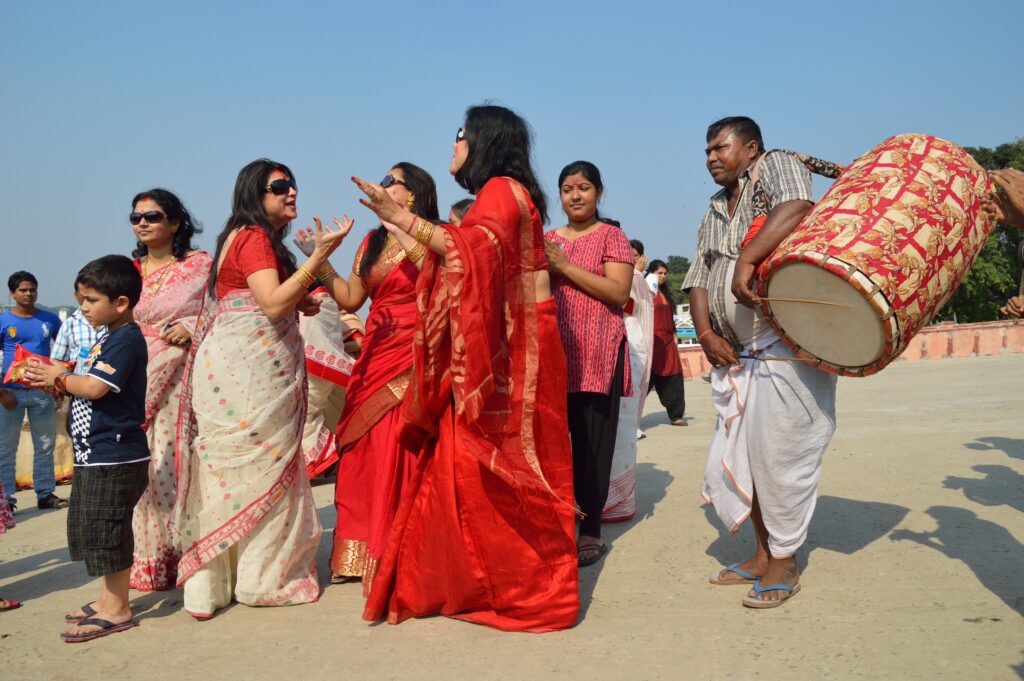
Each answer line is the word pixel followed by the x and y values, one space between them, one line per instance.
pixel 592 331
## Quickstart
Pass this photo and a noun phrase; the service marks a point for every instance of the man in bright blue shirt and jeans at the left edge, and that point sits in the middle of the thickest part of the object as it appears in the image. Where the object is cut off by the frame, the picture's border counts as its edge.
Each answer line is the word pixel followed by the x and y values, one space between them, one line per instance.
pixel 34 330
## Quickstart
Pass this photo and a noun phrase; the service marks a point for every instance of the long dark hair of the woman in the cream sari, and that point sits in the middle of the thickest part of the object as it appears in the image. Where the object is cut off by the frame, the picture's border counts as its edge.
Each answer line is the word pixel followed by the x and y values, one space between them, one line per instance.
pixel 247 210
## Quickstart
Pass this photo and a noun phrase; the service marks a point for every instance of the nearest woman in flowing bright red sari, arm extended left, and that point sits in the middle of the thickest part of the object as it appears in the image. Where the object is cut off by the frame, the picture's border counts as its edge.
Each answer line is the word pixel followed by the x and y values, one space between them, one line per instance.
pixel 485 530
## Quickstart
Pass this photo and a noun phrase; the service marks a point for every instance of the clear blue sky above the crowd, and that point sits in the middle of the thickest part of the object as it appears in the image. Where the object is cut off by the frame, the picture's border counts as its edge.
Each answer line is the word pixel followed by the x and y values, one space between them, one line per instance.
pixel 104 100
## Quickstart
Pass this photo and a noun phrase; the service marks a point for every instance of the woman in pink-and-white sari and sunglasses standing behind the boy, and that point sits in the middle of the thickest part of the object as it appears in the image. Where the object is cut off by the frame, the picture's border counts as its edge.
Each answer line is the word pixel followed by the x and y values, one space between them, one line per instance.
pixel 175 278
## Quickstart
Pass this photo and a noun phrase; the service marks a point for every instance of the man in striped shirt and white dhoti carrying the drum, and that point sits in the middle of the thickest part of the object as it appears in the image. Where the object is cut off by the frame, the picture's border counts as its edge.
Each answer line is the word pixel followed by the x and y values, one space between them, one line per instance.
pixel 777 414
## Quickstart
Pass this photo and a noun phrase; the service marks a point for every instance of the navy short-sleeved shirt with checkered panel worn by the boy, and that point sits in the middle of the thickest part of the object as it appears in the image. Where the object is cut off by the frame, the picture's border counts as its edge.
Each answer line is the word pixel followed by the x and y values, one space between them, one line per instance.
pixel 109 431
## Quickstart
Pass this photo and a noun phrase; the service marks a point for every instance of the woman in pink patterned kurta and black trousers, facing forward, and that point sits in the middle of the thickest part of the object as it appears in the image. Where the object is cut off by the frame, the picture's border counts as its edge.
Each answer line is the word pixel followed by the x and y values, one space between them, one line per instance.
pixel 593 271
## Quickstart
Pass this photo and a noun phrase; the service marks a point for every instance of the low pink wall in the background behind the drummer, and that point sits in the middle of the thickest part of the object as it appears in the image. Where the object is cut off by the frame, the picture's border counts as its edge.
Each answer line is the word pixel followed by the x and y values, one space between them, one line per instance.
pixel 947 340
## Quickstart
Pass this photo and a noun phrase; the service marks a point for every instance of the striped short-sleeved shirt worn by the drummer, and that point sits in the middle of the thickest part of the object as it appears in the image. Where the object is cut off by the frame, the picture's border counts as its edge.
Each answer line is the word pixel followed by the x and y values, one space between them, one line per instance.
pixel 784 179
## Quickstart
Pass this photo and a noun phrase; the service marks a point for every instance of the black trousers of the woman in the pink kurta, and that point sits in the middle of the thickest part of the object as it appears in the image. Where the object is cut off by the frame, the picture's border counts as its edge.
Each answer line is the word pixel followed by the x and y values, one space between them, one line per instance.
pixel 593 421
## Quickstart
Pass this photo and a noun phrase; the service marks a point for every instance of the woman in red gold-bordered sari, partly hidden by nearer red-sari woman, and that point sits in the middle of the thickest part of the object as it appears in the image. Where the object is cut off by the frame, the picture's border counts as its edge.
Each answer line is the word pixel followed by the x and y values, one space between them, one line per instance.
pixel 374 465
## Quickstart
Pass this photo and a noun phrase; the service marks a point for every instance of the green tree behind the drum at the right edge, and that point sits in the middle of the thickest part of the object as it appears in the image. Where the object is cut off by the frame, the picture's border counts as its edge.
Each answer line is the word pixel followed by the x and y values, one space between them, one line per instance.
pixel 997 272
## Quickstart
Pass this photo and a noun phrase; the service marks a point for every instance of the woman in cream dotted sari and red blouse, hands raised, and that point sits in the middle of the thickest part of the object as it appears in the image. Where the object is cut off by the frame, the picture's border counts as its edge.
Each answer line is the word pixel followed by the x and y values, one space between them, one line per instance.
pixel 244 512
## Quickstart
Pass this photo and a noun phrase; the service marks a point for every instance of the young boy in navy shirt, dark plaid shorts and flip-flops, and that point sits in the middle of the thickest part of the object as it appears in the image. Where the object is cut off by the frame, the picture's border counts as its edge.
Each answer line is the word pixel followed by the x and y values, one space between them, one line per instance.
pixel 112 456
